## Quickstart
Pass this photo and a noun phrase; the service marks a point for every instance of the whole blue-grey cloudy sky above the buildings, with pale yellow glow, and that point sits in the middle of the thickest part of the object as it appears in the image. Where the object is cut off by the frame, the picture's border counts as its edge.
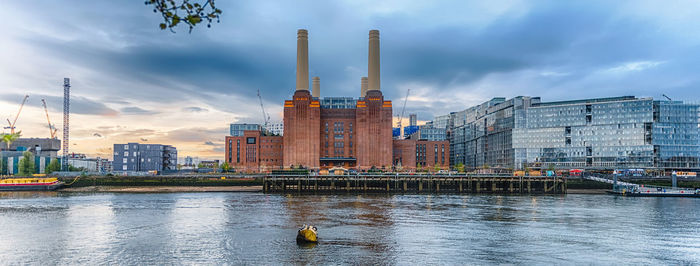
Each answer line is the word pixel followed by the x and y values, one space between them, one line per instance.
pixel 132 82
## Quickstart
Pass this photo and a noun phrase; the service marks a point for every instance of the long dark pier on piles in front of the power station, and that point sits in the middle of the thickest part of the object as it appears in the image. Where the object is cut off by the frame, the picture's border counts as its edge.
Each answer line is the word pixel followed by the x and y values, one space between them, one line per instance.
pixel 488 184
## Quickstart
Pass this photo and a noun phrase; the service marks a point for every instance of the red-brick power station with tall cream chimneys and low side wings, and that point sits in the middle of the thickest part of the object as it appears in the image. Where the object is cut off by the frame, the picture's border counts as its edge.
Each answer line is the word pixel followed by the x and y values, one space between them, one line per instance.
pixel 320 133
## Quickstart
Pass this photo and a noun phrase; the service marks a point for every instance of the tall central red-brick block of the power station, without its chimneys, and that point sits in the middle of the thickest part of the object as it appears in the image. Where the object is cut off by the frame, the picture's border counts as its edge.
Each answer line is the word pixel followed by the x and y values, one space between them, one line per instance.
pixel 317 137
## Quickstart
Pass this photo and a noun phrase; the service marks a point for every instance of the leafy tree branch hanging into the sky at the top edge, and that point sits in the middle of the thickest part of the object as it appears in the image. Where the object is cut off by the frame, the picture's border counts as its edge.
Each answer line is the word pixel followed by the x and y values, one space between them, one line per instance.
pixel 188 12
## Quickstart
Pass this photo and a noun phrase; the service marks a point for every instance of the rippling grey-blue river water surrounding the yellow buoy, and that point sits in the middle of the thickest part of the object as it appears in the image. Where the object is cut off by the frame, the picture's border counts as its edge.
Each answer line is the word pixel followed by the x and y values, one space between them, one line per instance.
pixel 255 228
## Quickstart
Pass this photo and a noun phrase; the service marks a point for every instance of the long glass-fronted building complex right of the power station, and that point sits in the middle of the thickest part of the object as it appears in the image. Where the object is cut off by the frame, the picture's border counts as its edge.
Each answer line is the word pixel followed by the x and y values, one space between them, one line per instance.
pixel 603 133
